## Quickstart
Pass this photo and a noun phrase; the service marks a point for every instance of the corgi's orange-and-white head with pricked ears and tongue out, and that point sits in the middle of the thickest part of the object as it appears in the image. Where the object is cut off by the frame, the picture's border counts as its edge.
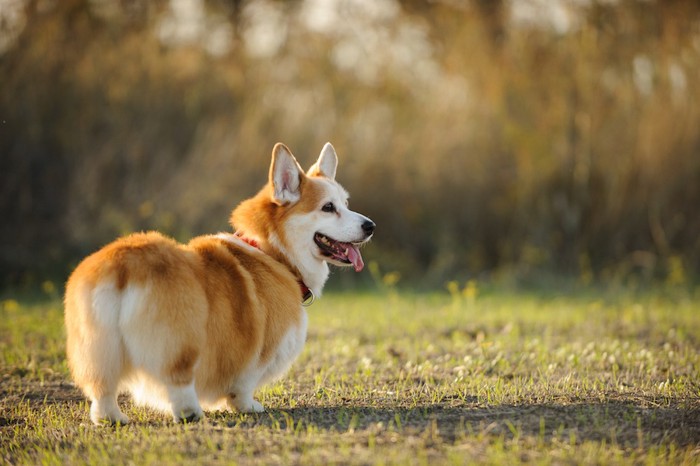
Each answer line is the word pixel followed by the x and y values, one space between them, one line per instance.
pixel 305 215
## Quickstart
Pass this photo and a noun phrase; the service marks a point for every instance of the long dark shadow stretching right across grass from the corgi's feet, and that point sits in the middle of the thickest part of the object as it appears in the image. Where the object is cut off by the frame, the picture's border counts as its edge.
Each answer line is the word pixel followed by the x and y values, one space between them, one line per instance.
pixel 619 422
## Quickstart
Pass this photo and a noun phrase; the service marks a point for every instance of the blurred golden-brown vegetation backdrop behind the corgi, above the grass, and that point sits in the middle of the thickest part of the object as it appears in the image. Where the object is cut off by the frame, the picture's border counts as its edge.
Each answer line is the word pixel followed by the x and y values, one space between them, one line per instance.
pixel 488 139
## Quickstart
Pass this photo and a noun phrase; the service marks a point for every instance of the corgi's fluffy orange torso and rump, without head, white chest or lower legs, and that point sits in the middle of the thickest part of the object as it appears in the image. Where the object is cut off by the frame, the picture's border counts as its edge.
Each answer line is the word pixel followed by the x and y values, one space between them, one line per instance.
pixel 213 306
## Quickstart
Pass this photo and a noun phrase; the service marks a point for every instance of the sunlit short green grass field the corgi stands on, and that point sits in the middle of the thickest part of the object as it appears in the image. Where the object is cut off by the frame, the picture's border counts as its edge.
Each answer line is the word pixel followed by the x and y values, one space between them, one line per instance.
pixel 458 377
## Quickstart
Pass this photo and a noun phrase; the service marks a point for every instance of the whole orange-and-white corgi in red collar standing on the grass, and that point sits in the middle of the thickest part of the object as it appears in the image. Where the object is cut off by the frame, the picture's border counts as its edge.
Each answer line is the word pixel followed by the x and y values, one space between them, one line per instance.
pixel 202 325
